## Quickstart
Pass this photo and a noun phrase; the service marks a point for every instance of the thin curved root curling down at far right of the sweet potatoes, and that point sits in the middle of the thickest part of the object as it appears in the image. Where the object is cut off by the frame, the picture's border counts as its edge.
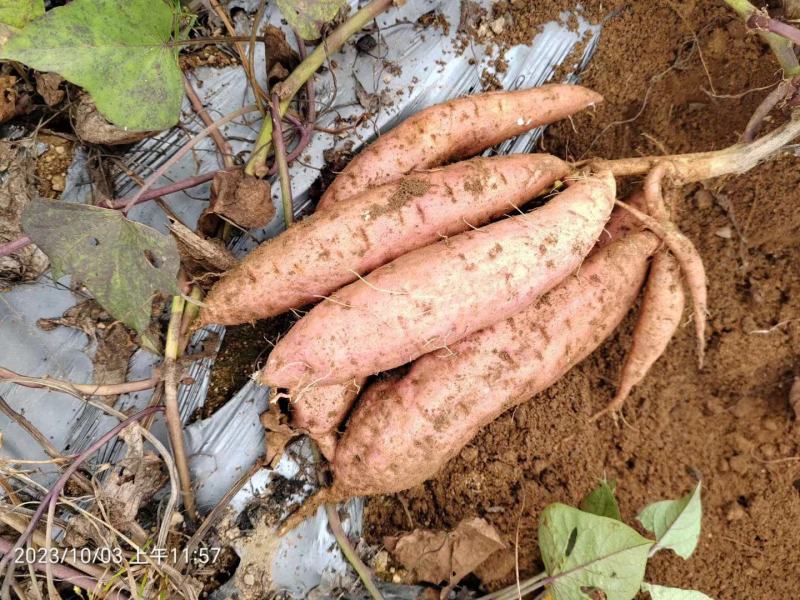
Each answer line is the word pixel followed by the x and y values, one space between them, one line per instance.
pixel 693 271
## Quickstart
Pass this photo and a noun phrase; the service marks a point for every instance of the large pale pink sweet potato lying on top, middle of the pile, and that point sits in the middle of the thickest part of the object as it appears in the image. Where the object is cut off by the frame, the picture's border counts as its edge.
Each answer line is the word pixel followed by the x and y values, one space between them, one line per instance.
pixel 430 298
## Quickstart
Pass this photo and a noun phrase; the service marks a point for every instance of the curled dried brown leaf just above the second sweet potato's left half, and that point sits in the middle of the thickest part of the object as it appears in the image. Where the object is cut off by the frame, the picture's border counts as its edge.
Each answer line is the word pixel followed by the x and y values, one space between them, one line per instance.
pixel 241 199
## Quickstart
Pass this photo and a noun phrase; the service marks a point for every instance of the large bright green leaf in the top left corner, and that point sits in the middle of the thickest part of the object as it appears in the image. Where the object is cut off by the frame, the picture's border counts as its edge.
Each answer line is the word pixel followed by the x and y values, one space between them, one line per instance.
pixel 119 50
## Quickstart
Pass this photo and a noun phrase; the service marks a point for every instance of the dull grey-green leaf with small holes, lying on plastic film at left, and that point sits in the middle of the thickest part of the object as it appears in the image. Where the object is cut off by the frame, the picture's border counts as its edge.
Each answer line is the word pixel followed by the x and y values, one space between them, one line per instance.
pixel 122 263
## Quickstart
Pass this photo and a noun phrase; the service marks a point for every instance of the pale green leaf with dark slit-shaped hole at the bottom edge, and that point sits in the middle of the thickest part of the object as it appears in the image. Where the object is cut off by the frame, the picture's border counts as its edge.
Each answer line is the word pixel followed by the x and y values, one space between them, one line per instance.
pixel 582 551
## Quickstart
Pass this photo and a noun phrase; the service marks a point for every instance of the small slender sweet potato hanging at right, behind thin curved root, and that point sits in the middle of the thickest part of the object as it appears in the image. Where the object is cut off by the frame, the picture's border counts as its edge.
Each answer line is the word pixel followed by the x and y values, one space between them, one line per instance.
pixel 659 317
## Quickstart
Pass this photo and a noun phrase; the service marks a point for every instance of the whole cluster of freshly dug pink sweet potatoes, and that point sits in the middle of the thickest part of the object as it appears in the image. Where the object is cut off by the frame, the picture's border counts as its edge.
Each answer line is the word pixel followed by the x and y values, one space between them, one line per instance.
pixel 414 259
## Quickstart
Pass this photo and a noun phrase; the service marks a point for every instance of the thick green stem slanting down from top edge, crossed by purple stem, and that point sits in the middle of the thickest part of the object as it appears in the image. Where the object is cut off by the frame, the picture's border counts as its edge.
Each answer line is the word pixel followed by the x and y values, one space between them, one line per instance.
pixel 287 89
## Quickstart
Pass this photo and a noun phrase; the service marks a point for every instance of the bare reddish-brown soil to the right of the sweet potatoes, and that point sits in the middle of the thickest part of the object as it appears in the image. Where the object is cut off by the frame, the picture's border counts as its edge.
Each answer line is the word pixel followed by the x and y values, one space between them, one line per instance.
pixel 677 77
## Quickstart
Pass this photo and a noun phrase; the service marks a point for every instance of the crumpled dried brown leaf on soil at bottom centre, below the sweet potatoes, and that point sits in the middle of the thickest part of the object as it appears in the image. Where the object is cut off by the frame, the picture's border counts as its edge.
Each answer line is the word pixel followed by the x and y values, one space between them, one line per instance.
pixel 438 556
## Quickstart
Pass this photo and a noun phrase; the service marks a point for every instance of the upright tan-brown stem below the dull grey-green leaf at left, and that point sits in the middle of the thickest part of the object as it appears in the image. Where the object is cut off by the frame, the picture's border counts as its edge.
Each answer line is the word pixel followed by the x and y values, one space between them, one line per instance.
pixel 172 413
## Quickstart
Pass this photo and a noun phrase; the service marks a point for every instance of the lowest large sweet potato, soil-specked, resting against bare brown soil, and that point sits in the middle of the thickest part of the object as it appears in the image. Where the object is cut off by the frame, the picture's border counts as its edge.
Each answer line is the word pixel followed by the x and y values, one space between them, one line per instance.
pixel 401 436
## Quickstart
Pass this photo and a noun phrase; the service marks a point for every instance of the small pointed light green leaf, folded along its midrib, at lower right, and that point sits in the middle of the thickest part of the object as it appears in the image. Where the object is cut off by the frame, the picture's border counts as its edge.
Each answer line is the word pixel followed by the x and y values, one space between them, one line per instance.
pixel 675 523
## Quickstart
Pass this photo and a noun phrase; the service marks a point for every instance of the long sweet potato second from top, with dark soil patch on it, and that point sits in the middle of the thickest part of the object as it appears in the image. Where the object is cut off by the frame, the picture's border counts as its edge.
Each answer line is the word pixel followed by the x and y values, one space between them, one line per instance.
pixel 332 248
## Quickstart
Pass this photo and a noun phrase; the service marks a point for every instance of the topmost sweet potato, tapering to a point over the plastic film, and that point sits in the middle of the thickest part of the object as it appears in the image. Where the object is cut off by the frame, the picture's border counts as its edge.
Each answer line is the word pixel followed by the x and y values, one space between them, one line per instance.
pixel 453 130
